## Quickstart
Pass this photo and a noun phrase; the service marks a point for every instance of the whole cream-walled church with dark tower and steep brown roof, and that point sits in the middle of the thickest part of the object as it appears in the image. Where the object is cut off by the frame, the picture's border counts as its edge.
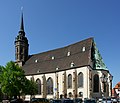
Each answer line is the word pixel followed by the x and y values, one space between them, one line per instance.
pixel 74 71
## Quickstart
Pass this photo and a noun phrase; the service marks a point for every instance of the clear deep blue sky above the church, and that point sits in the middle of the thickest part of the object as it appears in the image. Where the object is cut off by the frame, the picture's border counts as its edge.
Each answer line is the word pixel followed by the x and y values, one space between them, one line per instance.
pixel 51 24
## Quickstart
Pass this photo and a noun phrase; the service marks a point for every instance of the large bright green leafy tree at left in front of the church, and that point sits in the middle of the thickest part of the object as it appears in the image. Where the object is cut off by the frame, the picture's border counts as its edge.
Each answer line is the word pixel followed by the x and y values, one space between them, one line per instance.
pixel 13 81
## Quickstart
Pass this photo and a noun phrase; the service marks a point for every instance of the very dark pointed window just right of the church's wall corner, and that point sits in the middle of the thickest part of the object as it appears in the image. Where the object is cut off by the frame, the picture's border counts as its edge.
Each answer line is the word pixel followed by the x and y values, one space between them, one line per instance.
pixel 96 83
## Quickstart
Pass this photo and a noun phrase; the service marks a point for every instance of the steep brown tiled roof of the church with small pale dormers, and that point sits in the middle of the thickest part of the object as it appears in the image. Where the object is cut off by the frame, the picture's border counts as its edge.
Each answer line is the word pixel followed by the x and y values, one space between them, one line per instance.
pixel 79 54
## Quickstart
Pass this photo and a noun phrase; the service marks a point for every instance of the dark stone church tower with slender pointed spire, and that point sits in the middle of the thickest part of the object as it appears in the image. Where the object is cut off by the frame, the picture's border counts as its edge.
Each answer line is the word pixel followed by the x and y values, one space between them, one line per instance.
pixel 21 45
